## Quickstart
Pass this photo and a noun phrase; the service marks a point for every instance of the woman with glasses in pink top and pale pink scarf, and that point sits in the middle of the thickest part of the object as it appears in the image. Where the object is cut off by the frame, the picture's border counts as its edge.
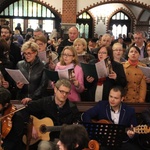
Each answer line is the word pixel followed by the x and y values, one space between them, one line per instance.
pixel 68 60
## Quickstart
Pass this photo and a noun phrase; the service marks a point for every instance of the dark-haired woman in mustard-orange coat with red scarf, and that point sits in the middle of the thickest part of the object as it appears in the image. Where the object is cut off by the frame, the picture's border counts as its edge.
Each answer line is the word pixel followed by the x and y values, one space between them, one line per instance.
pixel 136 83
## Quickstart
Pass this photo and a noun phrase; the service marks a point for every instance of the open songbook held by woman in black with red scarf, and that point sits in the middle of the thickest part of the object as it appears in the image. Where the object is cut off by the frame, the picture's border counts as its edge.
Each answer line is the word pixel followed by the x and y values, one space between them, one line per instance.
pixel 98 70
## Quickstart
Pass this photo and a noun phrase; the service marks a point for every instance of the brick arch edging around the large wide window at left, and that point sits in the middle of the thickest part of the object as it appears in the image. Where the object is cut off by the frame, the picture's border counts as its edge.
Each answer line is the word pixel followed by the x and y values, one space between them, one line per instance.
pixel 5 3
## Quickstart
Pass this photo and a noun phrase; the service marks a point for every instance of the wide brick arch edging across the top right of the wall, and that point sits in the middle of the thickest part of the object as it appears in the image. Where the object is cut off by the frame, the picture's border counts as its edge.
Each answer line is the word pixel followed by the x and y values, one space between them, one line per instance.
pixel 133 2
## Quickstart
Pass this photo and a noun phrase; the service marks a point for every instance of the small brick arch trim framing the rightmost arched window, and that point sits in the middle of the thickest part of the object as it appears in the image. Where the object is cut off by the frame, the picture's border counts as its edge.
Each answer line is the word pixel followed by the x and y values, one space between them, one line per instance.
pixel 126 11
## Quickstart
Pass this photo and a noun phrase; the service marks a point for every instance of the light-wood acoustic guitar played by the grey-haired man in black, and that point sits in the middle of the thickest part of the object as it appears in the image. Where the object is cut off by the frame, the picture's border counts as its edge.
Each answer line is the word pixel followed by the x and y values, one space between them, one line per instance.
pixel 43 127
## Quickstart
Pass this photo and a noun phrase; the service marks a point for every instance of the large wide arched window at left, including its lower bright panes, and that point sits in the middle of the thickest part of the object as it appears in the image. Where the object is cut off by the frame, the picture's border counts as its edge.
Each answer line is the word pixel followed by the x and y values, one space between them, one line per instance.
pixel 33 11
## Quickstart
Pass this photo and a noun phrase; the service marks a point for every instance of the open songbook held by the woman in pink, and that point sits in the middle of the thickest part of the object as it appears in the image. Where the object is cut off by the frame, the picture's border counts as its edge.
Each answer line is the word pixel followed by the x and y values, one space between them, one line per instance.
pixel 61 74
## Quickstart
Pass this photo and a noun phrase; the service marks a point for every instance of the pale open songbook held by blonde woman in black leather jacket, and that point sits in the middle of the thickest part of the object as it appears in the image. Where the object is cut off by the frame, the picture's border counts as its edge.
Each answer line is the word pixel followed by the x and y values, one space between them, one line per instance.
pixel 17 75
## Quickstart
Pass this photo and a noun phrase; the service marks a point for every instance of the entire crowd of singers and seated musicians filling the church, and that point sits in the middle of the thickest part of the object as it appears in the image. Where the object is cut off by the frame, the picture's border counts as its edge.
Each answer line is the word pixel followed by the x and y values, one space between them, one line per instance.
pixel 125 82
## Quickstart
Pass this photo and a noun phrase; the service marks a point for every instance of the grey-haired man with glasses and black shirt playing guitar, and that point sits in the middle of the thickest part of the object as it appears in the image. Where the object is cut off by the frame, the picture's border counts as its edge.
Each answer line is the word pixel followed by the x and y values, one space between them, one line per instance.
pixel 56 107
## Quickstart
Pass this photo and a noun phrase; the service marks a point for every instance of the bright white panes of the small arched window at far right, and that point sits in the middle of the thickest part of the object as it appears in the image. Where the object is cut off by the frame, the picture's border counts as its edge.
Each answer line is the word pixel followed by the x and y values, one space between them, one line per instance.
pixel 120 24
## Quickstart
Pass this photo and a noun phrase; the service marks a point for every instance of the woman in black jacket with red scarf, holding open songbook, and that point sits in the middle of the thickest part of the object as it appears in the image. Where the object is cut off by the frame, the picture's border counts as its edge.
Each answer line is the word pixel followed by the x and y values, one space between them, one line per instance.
pixel 98 89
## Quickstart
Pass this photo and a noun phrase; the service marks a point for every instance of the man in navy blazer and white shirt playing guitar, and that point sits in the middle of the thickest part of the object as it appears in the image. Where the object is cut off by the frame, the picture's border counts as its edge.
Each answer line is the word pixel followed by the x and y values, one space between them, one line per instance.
pixel 116 112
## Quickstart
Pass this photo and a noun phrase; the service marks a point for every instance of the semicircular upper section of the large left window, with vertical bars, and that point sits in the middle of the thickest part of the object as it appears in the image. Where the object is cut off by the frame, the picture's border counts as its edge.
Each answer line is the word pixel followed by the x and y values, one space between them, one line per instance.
pixel 27 8
